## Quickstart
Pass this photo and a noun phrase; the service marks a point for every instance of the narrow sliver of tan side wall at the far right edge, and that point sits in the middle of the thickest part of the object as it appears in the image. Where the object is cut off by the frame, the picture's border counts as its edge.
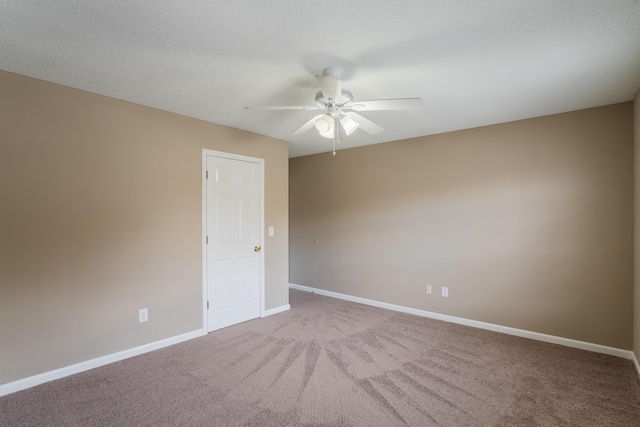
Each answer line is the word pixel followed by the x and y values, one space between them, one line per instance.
pixel 636 286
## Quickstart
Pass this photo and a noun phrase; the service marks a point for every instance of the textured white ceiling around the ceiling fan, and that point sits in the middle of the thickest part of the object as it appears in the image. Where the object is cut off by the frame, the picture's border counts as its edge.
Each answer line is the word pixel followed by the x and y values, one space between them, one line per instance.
pixel 473 62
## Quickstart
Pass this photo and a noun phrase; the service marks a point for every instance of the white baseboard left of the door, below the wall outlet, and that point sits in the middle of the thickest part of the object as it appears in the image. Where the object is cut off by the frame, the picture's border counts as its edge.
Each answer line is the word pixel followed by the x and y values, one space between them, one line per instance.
pixel 35 380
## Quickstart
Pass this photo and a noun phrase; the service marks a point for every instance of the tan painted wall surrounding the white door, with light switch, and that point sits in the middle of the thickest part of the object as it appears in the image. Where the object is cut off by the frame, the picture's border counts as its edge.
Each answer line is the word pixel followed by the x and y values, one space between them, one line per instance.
pixel 100 215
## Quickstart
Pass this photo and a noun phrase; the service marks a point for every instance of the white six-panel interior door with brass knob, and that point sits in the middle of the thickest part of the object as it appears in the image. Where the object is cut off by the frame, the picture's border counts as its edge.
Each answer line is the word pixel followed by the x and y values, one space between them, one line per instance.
pixel 233 241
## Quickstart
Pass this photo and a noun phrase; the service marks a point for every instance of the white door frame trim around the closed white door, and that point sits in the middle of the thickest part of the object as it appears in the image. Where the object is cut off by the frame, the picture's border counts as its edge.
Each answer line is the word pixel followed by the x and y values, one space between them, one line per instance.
pixel 231 156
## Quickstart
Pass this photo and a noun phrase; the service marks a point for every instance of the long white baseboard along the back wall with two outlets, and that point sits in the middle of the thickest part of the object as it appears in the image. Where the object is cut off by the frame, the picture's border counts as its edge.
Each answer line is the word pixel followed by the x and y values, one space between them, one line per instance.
pixel 625 354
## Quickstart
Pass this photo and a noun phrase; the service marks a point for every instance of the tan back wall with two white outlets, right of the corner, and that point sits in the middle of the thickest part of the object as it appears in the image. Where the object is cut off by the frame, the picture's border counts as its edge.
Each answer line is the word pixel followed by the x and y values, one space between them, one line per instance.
pixel 529 224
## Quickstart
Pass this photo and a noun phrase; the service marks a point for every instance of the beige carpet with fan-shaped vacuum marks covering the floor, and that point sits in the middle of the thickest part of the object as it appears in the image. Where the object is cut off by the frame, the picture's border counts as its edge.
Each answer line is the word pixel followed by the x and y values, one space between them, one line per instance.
pixel 328 362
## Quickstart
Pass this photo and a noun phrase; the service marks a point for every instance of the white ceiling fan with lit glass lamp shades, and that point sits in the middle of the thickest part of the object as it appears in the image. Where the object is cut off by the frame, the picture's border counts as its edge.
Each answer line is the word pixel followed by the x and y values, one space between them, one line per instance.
pixel 339 109
